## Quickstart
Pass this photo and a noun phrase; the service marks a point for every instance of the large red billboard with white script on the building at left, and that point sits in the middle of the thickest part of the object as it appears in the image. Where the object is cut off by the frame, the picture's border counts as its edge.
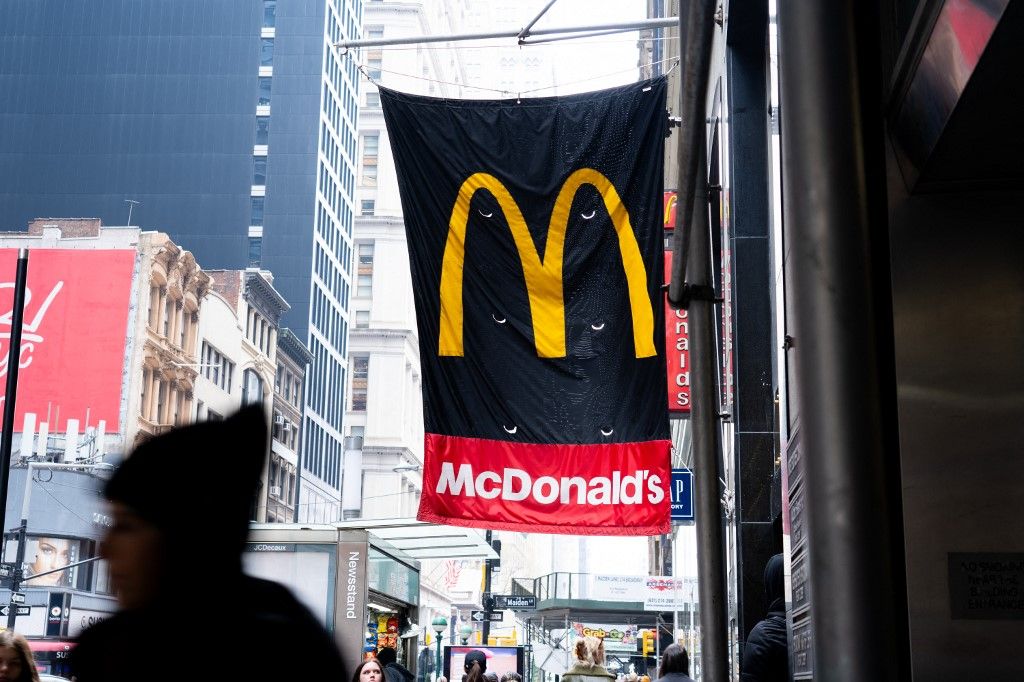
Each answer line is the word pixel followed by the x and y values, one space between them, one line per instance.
pixel 73 338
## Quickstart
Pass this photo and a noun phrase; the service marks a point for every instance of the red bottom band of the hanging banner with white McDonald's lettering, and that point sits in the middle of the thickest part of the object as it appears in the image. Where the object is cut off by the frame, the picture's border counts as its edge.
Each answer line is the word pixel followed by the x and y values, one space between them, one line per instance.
pixel 617 489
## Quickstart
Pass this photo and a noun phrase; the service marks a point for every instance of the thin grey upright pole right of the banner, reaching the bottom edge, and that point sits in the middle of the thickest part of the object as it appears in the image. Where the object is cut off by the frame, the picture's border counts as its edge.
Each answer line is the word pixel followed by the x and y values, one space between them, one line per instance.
pixel 707 437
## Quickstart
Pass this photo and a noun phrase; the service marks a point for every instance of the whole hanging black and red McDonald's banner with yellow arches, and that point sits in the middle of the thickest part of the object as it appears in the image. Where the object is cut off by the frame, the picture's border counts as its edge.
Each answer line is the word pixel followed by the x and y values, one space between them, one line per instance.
pixel 536 242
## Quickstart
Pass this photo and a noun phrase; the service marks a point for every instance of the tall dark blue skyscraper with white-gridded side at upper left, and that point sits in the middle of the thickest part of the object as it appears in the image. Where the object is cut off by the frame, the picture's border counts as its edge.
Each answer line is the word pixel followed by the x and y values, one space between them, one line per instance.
pixel 229 124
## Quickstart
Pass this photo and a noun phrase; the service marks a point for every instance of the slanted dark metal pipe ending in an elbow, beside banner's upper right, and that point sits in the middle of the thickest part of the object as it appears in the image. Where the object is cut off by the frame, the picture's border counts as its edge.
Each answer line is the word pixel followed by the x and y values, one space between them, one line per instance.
pixel 696 35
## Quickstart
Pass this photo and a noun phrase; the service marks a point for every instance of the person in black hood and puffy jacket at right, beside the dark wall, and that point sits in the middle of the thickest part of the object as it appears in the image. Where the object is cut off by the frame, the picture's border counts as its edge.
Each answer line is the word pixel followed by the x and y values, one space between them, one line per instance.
pixel 766 655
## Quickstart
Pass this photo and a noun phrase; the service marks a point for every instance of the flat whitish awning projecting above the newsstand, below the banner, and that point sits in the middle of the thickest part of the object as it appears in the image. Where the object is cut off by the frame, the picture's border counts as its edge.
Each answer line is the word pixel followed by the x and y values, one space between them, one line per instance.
pixel 426 541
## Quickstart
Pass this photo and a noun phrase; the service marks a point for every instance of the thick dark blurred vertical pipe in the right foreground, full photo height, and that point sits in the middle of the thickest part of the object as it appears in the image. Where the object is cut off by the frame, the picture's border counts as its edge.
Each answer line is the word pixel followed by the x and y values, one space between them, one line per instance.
pixel 834 198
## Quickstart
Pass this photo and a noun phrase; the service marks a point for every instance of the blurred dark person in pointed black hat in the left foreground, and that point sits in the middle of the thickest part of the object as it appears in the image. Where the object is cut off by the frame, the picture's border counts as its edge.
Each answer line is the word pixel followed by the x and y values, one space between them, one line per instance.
pixel 181 506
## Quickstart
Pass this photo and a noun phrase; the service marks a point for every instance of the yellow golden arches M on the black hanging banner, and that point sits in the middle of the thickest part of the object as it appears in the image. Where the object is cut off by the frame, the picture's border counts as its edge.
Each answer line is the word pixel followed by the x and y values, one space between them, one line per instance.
pixel 544 278
